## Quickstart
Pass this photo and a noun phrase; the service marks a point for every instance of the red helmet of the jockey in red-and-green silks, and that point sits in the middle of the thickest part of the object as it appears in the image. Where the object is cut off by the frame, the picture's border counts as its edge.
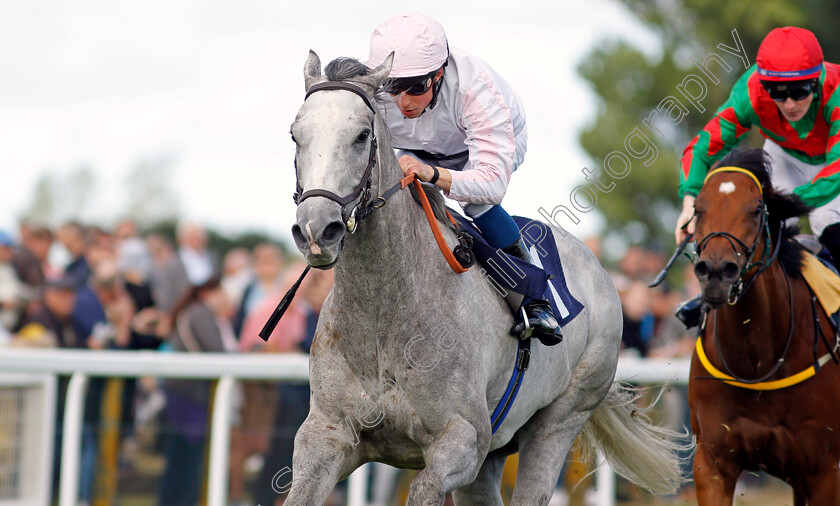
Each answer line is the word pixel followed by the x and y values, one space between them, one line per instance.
pixel 789 54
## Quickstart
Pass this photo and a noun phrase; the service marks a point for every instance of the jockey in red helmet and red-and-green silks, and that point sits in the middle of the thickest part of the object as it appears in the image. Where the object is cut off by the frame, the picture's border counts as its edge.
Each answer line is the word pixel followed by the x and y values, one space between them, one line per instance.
pixel 789 94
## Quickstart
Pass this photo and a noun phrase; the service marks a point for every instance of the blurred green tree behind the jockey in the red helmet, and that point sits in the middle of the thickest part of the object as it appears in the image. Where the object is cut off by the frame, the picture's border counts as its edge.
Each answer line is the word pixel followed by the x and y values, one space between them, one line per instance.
pixel 631 85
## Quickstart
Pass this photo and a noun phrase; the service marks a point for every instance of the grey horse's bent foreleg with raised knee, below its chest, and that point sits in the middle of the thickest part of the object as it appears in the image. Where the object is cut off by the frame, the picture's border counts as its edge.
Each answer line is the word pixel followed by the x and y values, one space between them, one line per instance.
pixel 452 460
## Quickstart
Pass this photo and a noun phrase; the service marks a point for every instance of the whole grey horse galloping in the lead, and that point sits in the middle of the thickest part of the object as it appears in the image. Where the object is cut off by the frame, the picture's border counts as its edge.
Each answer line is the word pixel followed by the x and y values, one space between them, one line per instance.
pixel 409 358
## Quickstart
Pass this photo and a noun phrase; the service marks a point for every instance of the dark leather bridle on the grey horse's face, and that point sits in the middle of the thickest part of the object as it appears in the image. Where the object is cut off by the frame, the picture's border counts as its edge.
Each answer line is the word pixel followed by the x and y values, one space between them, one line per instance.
pixel 361 194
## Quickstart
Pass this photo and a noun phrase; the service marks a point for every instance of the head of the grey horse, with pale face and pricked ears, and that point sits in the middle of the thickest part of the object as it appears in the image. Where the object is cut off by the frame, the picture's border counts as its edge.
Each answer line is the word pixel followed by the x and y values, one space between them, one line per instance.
pixel 336 148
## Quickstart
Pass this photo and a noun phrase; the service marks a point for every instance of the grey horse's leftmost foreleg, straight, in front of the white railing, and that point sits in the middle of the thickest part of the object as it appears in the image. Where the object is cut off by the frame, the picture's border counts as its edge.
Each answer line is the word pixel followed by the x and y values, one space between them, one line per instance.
pixel 320 459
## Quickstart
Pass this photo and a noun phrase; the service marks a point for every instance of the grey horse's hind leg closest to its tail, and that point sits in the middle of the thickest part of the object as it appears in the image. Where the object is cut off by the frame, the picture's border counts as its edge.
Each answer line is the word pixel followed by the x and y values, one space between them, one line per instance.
pixel 544 446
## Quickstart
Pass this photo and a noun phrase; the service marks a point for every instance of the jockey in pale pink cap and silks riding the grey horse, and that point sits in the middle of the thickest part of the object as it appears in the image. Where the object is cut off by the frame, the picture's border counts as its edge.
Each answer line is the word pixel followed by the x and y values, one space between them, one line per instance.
pixel 458 125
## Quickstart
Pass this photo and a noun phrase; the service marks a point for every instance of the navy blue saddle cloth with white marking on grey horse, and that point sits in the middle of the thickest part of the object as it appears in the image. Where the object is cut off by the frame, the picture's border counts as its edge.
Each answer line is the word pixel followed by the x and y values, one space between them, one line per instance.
pixel 545 280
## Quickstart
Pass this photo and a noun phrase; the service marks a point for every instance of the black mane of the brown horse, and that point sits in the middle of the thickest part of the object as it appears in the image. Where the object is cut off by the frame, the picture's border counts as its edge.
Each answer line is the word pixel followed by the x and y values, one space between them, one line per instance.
pixel 780 206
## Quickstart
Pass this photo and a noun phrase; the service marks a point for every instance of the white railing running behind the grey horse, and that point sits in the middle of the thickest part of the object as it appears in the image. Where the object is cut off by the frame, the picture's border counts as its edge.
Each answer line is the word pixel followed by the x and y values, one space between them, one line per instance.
pixel 227 368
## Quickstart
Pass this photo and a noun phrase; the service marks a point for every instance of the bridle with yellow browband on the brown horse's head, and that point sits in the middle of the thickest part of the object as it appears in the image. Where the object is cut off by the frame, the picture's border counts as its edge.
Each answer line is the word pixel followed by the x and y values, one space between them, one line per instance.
pixel 735 242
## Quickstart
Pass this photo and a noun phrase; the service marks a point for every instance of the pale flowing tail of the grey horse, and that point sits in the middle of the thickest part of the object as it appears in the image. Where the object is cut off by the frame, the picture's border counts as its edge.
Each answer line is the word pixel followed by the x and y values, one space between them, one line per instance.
pixel 638 450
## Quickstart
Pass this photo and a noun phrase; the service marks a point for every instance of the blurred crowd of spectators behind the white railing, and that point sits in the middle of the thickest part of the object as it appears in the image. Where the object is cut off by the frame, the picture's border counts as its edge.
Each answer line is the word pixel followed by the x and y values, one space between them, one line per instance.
pixel 85 287
